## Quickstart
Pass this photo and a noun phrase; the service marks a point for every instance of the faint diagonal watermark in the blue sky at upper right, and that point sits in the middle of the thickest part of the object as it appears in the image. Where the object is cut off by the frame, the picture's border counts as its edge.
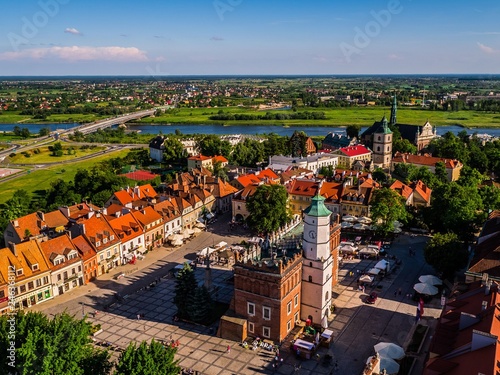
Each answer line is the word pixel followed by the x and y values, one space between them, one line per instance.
pixel 372 29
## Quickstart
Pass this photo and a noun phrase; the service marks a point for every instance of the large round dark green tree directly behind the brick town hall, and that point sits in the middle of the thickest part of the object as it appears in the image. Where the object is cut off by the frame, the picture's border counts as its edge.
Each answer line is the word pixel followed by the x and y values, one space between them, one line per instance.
pixel 268 208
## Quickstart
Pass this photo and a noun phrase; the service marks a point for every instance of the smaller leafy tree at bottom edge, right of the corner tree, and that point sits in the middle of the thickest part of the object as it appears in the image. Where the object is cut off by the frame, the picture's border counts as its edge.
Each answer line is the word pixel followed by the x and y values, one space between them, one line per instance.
pixel 152 359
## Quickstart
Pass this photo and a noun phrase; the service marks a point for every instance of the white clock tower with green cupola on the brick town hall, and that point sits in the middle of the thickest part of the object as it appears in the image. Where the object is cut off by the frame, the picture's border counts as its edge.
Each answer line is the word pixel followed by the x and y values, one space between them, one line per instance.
pixel 317 265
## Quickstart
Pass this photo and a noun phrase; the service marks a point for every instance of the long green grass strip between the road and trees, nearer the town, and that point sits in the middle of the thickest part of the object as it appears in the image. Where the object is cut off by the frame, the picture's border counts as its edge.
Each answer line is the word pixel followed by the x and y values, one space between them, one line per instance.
pixel 39 180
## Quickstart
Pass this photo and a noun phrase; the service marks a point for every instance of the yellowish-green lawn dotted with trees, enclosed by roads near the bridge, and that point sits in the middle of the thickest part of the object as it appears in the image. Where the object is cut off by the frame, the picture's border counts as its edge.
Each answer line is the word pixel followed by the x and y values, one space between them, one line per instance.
pixel 45 155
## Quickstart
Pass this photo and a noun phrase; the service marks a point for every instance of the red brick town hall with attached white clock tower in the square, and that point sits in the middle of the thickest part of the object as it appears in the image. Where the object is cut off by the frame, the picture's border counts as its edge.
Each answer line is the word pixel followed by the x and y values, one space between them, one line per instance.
pixel 284 287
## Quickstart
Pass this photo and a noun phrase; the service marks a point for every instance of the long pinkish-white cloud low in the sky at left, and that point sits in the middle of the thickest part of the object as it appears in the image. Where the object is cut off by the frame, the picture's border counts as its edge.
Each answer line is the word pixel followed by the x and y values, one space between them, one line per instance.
pixel 79 53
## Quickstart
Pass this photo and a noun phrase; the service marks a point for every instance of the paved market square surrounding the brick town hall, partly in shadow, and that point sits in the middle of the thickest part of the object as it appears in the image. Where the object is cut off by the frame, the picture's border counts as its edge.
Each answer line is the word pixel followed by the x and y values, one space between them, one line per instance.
pixel 357 326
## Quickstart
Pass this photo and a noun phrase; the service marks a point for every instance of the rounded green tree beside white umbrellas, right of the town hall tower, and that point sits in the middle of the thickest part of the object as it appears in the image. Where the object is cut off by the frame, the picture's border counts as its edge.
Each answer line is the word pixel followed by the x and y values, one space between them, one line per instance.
pixel 387 206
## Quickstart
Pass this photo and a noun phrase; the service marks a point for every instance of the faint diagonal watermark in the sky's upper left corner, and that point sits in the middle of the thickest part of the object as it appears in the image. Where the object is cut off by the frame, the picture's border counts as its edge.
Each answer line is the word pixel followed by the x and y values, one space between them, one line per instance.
pixel 30 26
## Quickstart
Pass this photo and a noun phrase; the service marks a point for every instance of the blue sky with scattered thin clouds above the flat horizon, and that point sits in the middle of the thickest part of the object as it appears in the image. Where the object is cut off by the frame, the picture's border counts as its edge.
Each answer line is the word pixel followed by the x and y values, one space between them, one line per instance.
pixel 172 37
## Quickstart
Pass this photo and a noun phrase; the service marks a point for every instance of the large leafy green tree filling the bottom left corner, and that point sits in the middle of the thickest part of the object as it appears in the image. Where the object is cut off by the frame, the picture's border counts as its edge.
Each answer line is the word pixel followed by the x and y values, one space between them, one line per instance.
pixel 60 345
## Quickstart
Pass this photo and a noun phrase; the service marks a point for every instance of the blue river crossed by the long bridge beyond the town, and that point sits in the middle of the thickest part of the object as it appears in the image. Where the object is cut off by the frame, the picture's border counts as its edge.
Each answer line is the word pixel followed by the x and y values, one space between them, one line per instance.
pixel 240 129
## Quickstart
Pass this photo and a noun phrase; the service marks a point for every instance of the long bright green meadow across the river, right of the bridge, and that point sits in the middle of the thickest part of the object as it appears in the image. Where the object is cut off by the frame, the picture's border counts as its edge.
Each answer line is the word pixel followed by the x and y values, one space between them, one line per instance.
pixel 363 116
